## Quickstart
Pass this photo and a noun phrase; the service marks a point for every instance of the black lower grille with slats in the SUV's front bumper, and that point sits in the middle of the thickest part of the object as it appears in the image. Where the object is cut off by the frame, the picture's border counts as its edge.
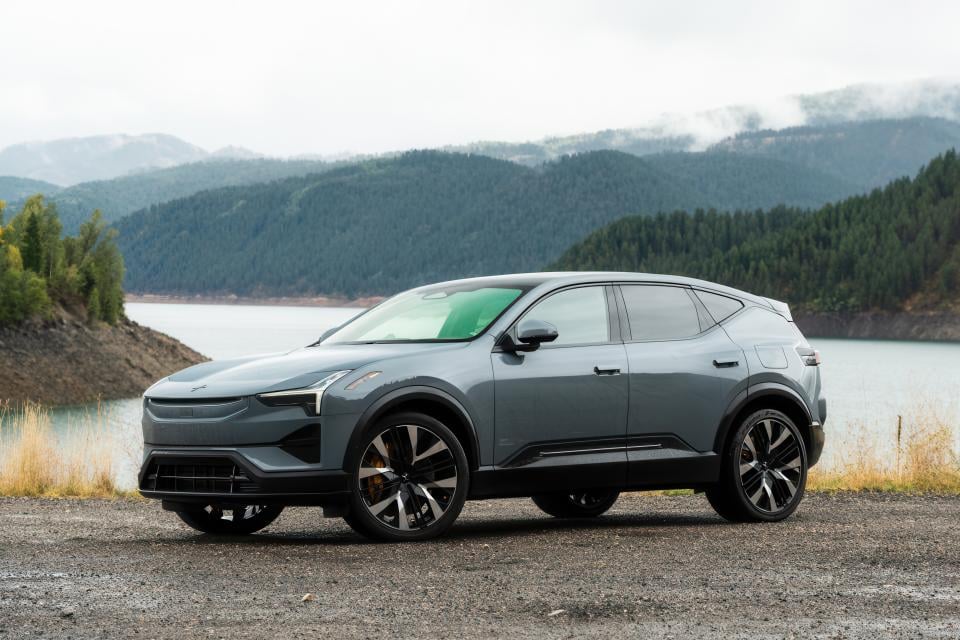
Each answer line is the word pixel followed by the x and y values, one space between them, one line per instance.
pixel 197 475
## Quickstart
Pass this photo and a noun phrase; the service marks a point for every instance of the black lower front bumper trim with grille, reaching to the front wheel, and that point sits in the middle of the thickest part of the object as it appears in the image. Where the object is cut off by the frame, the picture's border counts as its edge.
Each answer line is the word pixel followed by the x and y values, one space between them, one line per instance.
pixel 225 477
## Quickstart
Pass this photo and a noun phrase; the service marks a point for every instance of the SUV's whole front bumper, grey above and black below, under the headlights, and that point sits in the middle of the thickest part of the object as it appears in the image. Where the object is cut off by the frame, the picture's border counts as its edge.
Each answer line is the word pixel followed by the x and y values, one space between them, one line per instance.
pixel 240 451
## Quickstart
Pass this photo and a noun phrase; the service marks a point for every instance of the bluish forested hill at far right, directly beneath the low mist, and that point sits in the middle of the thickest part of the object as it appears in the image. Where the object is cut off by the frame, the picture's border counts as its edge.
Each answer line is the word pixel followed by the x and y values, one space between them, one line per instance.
pixel 868 154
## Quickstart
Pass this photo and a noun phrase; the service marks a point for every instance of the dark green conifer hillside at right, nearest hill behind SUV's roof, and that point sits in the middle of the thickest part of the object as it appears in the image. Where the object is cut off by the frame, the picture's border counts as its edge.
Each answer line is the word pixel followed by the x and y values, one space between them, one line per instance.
pixel 895 248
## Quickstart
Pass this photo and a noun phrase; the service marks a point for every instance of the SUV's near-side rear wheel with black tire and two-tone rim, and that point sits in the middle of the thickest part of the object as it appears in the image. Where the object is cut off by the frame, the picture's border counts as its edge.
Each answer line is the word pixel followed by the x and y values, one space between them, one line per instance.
pixel 764 470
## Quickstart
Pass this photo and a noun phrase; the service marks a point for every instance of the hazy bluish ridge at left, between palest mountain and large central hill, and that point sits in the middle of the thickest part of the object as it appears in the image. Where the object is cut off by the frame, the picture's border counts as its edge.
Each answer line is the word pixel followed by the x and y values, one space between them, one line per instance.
pixel 119 197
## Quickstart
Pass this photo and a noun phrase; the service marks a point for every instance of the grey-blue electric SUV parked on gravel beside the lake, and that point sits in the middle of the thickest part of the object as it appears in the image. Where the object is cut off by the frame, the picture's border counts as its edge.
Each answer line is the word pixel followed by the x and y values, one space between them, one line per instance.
pixel 565 387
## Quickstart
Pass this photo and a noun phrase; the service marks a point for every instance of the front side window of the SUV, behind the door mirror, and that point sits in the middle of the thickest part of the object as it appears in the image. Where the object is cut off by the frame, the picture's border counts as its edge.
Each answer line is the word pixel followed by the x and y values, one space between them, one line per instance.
pixel 580 315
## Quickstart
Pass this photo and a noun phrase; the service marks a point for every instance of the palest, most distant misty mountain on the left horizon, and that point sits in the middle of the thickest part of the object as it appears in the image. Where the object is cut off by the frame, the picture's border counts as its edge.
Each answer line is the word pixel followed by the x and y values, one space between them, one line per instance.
pixel 69 161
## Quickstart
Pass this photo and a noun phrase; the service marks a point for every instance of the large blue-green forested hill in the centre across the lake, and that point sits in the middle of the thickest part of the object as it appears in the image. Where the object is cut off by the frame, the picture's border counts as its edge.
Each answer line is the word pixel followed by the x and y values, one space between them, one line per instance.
pixel 383 225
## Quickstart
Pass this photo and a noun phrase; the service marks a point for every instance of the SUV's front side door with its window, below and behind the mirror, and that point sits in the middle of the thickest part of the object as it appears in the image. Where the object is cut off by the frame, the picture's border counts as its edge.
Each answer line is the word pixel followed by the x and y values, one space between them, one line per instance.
pixel 565 404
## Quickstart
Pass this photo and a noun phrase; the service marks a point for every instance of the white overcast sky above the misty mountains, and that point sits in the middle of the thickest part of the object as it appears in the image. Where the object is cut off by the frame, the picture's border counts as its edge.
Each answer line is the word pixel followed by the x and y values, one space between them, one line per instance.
pixel 288 78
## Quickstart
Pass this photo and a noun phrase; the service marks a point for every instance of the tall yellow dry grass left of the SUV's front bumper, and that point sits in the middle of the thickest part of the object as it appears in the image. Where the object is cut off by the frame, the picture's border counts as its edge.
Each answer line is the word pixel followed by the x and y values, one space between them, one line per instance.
pixel 35 461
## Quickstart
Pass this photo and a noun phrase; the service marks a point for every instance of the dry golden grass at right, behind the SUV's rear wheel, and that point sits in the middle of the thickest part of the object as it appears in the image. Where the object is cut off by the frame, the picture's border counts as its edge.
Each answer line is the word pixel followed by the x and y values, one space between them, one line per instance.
pixel 922 459
